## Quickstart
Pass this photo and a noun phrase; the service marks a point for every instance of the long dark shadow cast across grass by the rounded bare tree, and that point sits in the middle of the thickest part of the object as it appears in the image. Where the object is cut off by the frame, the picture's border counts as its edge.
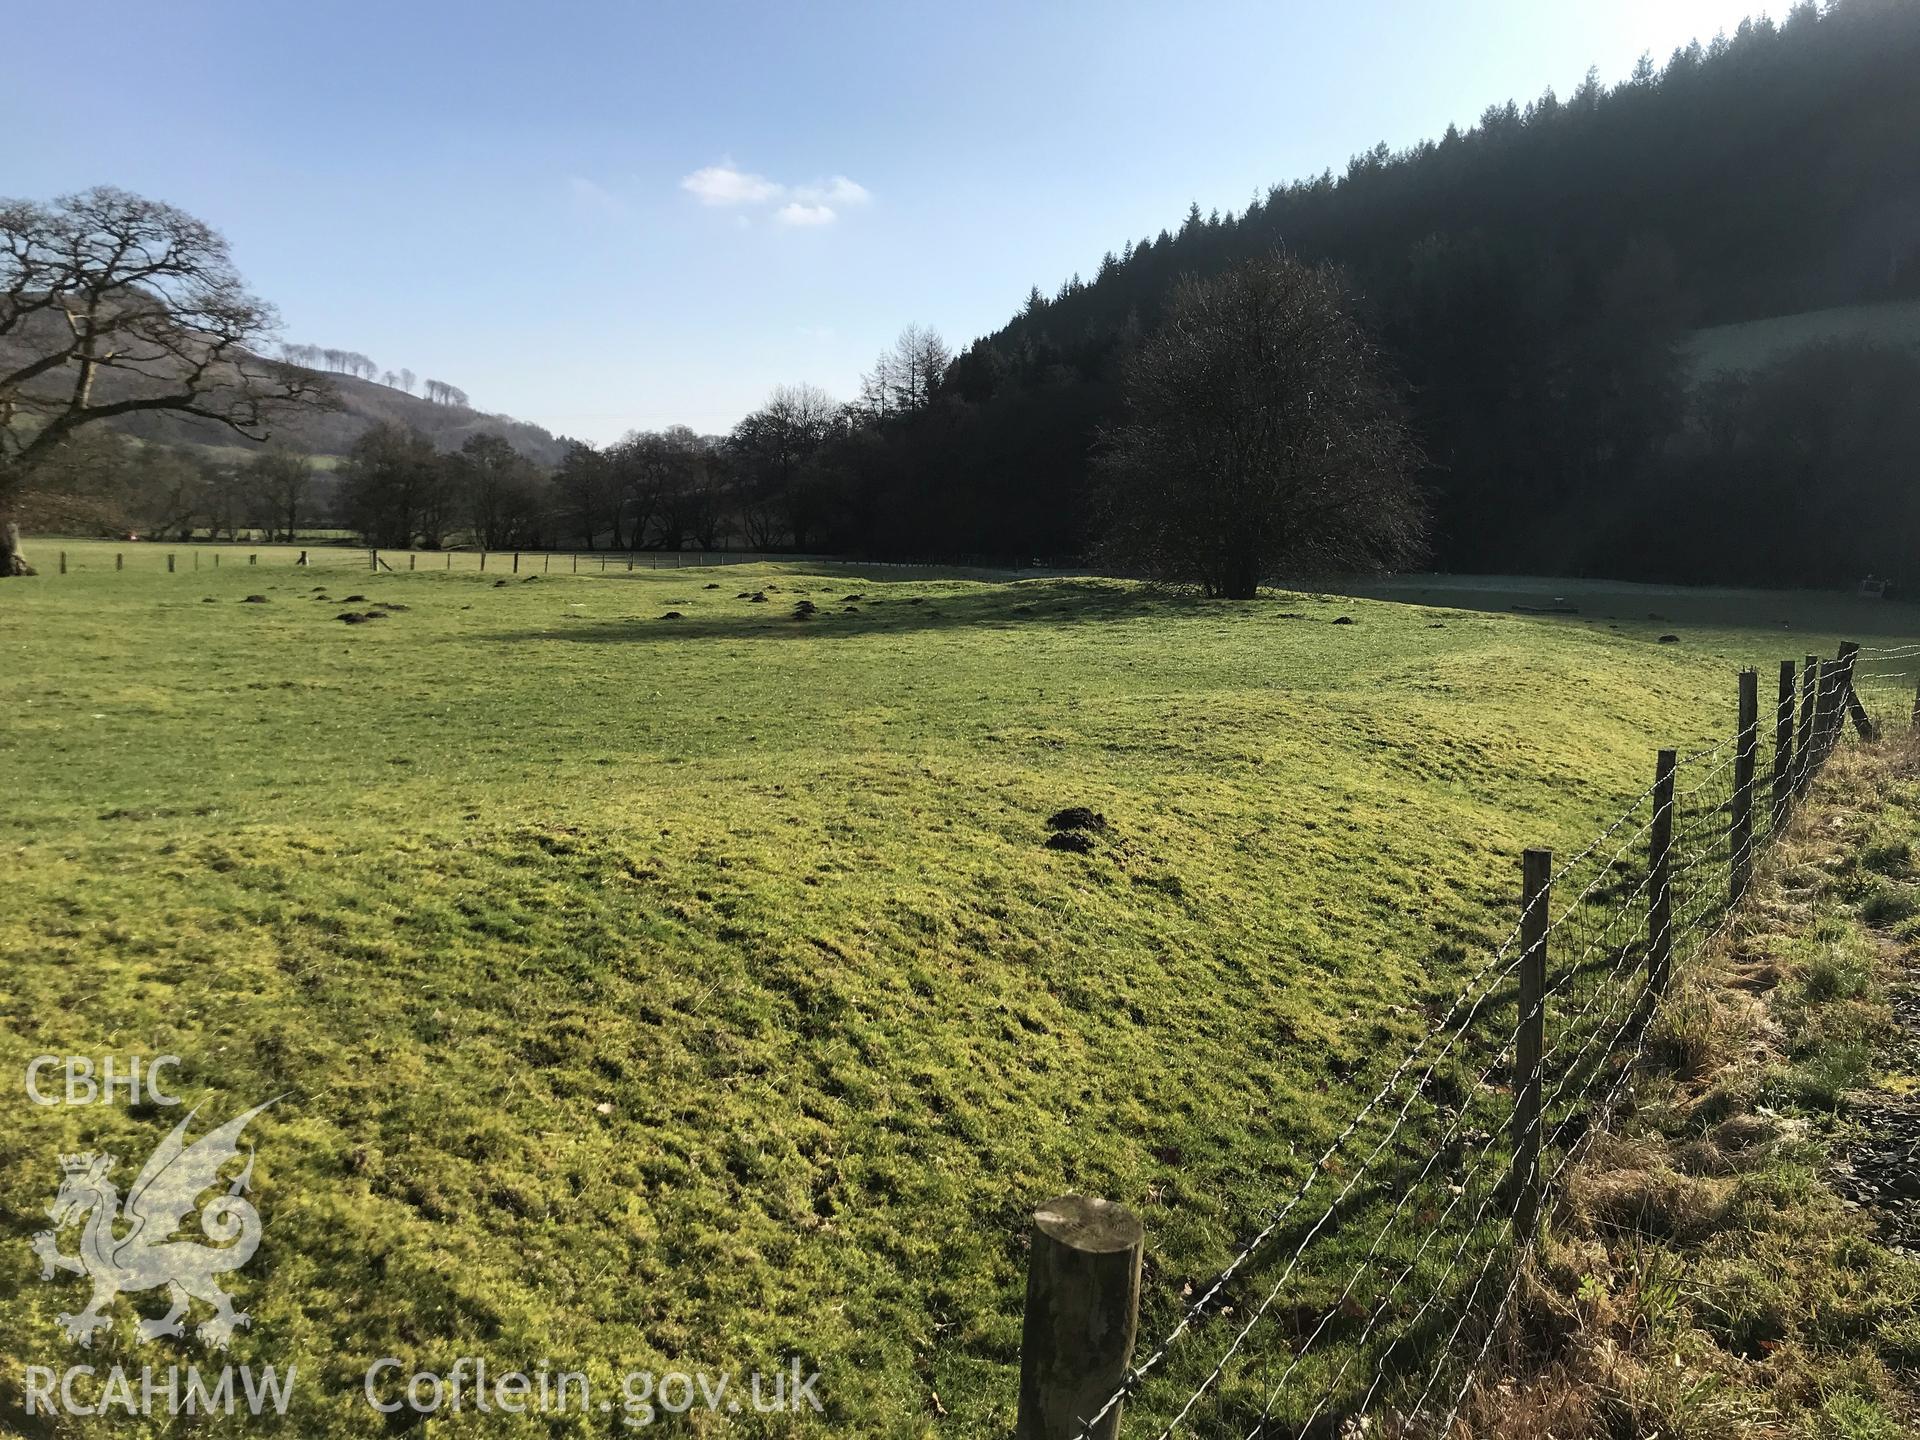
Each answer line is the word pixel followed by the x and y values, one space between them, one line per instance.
pixel 857 613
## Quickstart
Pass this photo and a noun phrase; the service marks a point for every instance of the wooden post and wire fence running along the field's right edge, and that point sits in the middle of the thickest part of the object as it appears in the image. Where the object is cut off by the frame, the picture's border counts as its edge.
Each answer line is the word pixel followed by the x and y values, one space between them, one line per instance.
pixel 1595 949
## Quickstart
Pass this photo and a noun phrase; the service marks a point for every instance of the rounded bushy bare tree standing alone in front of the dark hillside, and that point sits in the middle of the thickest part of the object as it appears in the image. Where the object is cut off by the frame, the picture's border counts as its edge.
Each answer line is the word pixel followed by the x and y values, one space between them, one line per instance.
pixel 1262 441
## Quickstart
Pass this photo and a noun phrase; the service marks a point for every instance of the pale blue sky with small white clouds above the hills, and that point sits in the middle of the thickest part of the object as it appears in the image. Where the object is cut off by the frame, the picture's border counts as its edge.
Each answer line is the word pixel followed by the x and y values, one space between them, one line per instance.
pixel 610 214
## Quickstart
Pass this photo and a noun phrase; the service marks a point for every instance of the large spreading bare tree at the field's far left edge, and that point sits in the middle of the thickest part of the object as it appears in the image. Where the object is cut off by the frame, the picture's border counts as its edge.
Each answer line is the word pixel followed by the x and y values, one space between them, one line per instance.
pixel 112 306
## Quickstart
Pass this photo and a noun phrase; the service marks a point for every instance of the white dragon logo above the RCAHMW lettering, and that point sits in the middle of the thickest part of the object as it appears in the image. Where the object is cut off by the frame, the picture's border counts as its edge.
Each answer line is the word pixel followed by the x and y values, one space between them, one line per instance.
pixel 149 1255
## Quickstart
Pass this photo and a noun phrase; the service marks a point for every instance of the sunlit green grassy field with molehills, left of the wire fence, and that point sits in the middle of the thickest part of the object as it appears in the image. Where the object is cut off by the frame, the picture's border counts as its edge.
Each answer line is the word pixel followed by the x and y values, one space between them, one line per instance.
pixel 675 994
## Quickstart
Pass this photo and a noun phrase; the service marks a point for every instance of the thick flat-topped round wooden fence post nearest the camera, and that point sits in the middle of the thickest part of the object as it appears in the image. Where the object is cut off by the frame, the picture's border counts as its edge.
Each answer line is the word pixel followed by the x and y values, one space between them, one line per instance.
pixel 1084 1307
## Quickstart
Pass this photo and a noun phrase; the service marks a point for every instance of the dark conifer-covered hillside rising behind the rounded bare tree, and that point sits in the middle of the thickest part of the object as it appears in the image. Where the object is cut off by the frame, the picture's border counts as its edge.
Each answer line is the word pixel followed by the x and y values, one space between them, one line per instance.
pixel 1533 281
